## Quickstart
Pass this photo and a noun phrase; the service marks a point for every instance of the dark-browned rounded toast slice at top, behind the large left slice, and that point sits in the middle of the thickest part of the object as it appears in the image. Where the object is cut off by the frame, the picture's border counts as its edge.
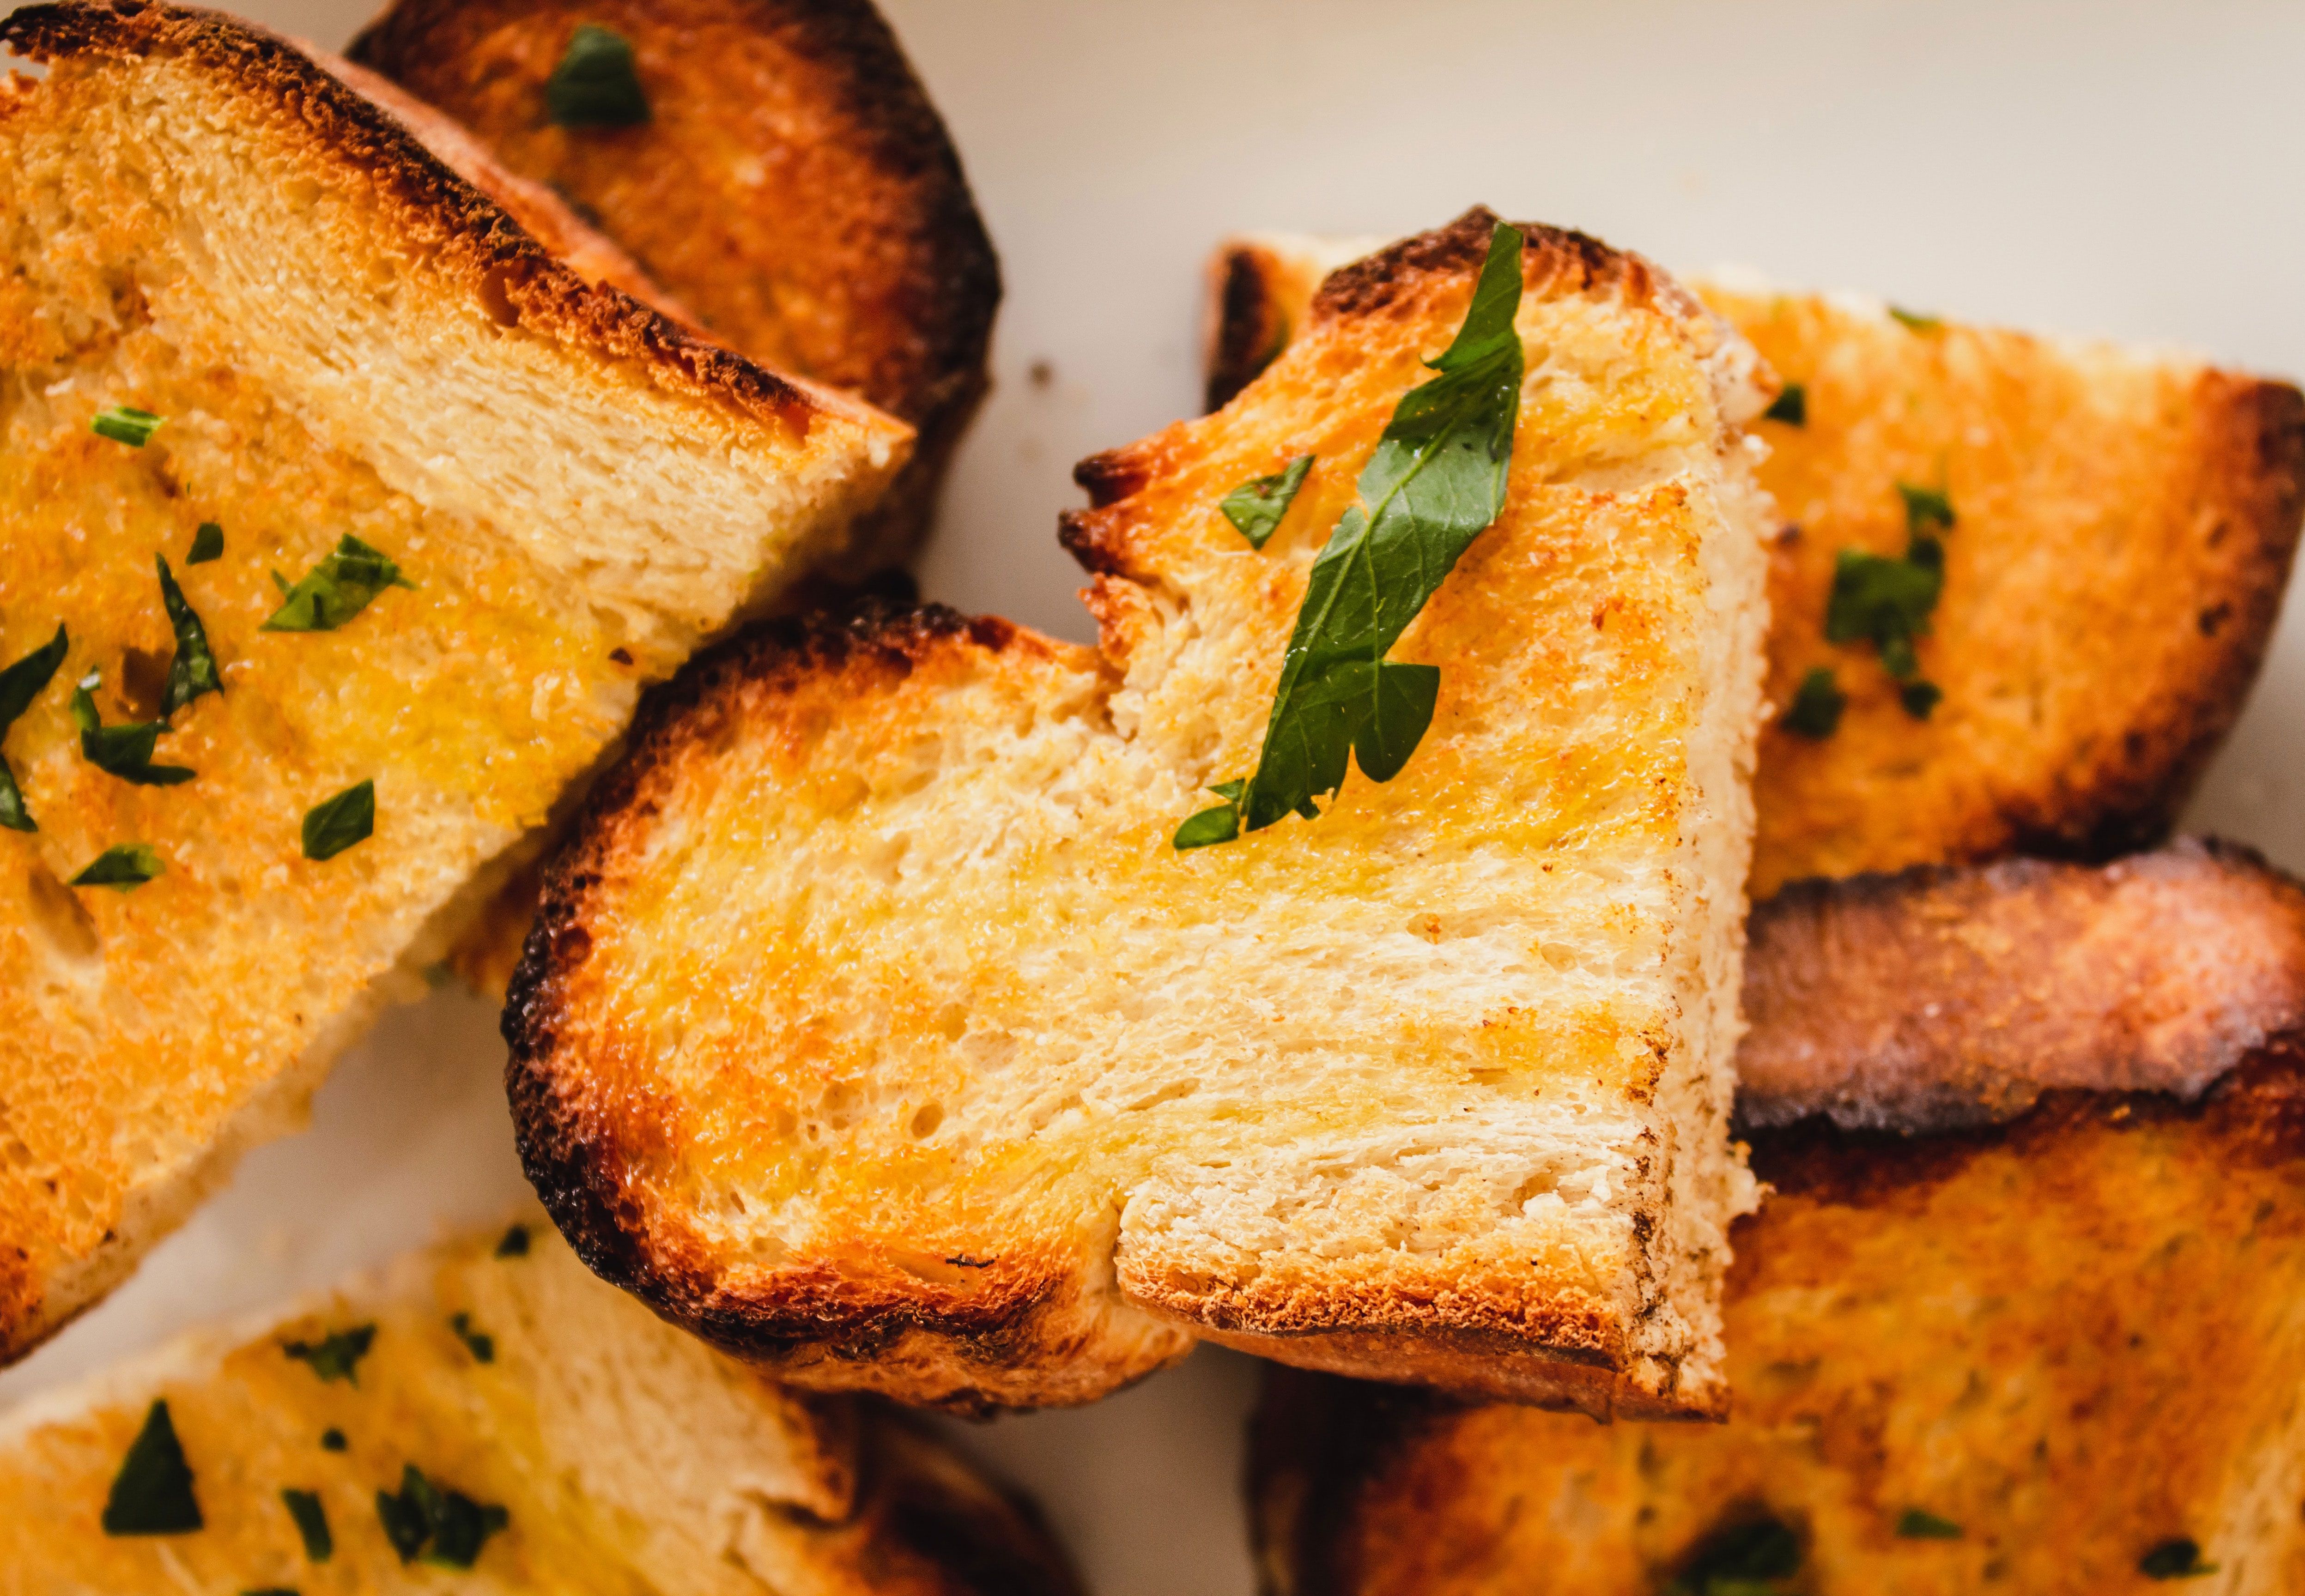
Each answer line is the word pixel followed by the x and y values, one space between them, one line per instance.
pixel 794 188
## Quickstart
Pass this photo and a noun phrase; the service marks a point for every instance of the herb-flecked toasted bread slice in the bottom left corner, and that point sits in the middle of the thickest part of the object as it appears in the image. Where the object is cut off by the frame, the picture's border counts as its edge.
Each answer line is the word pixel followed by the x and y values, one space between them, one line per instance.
pixel 624 1457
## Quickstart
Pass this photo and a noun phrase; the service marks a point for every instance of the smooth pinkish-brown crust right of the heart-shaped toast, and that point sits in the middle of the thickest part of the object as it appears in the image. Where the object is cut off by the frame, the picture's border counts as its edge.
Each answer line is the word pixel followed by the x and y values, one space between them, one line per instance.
pixel 1958 996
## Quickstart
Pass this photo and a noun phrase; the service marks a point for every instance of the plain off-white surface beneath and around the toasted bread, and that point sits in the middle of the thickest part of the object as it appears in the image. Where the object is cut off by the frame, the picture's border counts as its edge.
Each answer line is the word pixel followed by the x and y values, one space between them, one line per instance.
pixel 2103 169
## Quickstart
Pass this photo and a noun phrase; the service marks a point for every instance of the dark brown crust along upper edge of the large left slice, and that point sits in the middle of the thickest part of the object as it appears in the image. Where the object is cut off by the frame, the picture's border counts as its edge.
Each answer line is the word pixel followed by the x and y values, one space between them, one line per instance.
pixel 476 238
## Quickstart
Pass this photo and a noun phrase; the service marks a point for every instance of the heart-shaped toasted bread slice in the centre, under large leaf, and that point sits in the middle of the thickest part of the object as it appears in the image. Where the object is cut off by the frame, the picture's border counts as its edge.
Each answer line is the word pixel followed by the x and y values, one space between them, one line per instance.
pixel 877 1031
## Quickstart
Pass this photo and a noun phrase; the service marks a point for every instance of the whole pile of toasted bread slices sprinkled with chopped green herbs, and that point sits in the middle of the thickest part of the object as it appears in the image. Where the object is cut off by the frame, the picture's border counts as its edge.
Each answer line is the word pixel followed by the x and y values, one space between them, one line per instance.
pixel 1566 757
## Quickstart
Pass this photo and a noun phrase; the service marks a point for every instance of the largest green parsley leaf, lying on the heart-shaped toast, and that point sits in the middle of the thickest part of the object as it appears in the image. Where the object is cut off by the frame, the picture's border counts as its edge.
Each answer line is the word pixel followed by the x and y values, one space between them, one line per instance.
pixel 1433 487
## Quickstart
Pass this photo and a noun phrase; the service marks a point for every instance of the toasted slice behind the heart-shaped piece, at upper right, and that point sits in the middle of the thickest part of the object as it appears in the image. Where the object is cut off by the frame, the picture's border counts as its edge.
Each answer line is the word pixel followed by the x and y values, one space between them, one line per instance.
pixel 2124 529
